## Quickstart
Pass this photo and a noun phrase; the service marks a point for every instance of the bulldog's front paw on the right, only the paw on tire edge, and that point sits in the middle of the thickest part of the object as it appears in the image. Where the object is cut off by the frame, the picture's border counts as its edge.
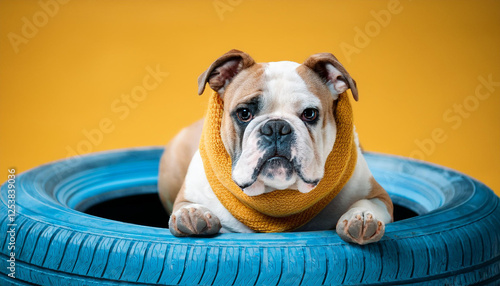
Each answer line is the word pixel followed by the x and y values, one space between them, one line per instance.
pixel 360 226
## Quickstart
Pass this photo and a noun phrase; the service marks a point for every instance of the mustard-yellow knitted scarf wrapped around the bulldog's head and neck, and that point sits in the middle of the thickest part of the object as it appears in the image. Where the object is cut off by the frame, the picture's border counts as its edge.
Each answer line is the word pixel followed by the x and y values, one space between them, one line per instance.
pixel 280 210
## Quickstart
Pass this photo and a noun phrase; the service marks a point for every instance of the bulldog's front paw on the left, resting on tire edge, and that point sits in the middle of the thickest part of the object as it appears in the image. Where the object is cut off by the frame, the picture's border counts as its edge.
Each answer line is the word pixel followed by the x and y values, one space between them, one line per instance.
pixel 193 220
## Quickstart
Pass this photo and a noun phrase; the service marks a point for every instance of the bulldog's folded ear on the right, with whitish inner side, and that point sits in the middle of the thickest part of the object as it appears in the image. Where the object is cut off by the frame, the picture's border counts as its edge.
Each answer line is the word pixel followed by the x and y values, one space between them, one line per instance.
pixel 333 73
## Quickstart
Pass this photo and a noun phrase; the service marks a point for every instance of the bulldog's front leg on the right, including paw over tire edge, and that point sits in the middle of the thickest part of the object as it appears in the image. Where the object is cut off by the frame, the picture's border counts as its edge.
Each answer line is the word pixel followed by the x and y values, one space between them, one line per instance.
pixel 365 220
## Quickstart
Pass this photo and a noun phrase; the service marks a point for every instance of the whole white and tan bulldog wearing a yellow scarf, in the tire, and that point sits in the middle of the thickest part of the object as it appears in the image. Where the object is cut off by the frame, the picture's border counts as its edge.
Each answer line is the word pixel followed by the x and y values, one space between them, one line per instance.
pixel 293 161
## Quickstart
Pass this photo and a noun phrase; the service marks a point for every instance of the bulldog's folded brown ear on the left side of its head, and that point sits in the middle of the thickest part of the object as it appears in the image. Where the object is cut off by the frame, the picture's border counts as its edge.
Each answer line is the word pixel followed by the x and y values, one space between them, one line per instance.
pixel 224 69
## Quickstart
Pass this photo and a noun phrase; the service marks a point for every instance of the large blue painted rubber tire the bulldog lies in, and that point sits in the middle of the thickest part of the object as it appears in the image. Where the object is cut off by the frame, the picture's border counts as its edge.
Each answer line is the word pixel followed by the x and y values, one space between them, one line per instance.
pixel 454 240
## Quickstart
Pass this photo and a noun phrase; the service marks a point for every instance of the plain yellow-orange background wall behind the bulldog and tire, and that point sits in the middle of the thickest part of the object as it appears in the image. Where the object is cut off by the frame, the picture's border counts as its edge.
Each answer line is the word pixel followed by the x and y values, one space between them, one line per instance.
pixel 69 73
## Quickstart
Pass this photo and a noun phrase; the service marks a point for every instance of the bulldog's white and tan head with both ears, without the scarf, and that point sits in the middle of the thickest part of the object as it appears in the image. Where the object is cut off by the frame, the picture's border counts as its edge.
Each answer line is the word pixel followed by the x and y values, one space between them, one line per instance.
pixel 278 124
